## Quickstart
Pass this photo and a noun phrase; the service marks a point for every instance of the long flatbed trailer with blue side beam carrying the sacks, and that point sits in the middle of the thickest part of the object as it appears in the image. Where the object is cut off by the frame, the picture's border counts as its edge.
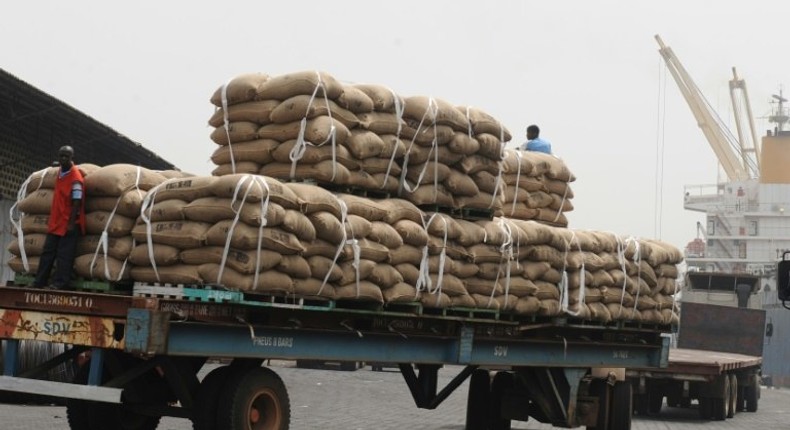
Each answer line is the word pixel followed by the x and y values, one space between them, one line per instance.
pixel 138 356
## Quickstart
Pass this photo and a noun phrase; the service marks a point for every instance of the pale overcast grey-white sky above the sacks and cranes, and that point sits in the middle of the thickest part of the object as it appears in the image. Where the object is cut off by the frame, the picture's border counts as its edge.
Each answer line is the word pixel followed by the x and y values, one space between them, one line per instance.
pixel 587 72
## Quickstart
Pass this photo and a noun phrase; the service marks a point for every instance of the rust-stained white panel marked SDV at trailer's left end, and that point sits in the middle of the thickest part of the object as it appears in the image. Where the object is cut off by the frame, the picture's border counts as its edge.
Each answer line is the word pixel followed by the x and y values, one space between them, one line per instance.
pixel 61 328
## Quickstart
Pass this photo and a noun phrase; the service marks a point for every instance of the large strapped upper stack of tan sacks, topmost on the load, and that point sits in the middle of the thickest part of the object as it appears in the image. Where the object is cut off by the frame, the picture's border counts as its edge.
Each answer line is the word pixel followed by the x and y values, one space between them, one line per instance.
pixel 308 126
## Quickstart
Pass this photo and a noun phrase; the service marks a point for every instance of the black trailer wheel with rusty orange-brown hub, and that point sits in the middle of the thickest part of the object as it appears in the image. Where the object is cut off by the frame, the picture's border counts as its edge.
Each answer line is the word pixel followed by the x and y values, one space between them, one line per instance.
pixel 254 399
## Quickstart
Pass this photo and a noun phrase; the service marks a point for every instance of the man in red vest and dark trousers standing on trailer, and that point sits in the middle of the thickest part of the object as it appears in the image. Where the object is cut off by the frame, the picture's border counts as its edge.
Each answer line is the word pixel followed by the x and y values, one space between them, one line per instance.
pixel 66 224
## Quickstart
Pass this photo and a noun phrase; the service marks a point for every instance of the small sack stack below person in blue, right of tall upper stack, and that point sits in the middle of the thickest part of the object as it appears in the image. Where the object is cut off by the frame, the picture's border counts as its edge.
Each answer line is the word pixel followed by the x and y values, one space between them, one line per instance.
pixel 536 187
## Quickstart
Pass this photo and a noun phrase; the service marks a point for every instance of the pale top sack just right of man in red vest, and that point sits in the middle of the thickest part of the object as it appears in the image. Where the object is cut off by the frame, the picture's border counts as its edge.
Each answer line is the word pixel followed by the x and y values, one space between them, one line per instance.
pixel 114 179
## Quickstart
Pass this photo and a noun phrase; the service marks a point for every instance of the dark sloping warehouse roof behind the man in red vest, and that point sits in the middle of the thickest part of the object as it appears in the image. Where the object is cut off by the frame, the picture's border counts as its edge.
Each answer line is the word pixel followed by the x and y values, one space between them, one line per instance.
pixel 34 124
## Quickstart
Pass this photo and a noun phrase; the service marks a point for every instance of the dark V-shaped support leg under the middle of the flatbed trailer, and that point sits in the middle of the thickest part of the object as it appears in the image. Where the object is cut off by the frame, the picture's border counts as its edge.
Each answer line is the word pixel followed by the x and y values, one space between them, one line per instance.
pixel 423 385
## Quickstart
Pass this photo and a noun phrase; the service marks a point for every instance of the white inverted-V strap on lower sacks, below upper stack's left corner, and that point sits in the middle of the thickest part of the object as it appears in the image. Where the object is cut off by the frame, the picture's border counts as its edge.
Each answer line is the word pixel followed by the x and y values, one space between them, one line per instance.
pixel 244 185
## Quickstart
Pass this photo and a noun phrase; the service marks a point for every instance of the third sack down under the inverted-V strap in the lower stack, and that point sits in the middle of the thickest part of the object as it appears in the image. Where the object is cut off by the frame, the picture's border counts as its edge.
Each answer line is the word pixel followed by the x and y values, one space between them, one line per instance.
pixel 246 237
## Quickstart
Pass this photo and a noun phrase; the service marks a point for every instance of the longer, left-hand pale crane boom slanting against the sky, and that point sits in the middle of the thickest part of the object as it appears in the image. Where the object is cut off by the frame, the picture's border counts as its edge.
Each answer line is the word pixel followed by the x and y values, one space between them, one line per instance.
pixel 712 127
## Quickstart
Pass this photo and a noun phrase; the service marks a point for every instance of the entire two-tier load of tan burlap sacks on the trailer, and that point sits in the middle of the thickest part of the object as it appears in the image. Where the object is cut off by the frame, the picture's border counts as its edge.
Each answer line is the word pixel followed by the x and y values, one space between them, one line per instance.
pixel 246 229
